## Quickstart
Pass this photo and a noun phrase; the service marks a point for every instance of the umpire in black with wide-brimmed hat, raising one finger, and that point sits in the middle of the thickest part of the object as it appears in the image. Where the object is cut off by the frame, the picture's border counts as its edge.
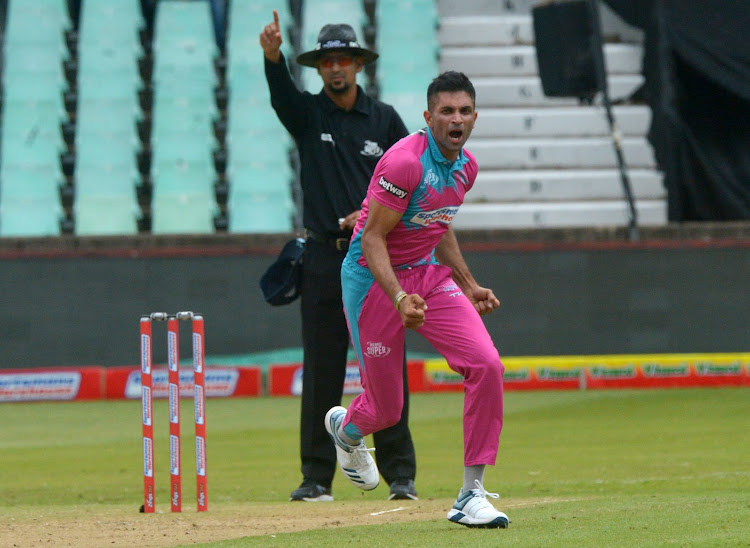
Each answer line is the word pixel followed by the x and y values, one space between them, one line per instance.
pixel 341 133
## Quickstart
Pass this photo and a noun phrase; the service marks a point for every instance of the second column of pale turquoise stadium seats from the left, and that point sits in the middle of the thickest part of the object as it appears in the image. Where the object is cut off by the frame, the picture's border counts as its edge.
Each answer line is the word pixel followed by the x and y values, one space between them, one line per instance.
pixel 108 45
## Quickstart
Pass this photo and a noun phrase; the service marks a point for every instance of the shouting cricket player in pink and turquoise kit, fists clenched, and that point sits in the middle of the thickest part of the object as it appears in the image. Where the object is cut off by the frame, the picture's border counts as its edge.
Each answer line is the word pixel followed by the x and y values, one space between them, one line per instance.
pixel 404 269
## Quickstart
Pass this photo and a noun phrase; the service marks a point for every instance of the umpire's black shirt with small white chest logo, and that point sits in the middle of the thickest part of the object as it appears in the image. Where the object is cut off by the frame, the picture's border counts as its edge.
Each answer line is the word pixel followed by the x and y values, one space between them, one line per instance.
pixel 338 149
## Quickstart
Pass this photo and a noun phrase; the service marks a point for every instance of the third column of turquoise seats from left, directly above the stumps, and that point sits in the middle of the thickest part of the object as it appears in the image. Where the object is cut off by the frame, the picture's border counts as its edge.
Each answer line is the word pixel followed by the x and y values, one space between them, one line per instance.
pixel 184 80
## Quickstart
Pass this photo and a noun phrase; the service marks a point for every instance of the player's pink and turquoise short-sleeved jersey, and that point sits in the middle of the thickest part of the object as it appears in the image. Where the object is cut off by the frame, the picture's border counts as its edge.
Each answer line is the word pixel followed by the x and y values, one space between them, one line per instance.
pixel 415 179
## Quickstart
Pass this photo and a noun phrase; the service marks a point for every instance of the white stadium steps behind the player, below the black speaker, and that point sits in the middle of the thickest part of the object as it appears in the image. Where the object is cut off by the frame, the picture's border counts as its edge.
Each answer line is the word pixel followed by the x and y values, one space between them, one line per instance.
pixel 546 162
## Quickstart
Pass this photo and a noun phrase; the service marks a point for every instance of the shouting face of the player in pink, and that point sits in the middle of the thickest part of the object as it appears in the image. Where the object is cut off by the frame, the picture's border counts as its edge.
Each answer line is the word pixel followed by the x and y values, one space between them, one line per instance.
pixel 451 119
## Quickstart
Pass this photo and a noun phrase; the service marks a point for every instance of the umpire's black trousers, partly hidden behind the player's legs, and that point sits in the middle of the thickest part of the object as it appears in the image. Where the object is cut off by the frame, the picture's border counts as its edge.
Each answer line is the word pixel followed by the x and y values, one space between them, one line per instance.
pixel 325 339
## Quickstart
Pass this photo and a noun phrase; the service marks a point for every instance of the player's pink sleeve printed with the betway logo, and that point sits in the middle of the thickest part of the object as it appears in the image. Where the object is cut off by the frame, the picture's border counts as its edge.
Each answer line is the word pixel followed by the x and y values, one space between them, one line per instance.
pixel 395 178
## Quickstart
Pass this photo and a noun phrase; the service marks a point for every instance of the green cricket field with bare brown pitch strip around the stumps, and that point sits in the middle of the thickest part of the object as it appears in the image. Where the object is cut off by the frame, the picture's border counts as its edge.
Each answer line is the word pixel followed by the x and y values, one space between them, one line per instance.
pixel 592 468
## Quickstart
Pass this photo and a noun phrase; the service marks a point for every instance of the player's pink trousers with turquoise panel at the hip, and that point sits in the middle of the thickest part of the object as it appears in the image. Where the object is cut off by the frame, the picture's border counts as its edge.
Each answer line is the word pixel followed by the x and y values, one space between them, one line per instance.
pixel 455 330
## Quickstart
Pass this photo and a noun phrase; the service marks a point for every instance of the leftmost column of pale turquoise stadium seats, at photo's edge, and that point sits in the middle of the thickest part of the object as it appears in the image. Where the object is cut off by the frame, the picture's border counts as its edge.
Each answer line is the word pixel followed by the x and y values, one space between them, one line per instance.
pixel 32 85
